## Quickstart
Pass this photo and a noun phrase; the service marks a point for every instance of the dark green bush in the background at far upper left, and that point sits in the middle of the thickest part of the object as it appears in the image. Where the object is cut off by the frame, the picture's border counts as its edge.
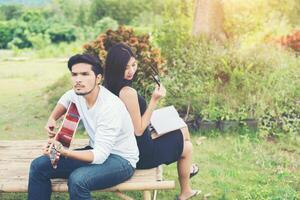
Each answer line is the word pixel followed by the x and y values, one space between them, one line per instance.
pixel 33 27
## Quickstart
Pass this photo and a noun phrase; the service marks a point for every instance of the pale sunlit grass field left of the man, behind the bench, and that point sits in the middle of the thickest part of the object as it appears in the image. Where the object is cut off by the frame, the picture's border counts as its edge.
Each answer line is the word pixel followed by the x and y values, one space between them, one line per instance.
pixel 24 106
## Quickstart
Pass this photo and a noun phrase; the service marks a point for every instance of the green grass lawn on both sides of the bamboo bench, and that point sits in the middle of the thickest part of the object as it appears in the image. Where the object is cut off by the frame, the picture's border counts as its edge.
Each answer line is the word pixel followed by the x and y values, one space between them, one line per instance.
pixel 232 165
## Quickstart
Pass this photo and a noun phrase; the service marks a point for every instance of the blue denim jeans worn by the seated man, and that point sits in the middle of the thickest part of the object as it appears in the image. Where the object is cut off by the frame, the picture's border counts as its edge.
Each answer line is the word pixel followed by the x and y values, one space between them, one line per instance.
pixel 82 177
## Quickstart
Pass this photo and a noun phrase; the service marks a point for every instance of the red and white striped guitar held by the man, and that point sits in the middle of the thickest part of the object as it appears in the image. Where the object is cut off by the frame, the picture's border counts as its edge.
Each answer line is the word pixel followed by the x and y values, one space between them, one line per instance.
pixel 66 132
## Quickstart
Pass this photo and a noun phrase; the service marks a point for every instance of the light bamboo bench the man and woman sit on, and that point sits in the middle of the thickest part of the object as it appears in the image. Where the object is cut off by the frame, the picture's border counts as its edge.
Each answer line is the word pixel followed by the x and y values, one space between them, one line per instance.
pixel 16 156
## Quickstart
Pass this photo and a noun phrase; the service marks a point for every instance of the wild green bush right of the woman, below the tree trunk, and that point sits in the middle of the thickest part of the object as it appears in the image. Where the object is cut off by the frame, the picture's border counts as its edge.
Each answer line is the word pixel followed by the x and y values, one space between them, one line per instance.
pixel 218 82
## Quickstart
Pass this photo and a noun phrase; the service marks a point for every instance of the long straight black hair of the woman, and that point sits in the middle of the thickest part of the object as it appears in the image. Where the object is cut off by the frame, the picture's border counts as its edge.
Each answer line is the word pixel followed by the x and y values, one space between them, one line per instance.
pixel 116 61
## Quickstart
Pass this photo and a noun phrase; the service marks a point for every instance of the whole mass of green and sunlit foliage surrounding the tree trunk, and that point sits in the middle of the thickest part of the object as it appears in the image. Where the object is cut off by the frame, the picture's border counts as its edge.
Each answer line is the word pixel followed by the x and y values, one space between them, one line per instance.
pixel 244 78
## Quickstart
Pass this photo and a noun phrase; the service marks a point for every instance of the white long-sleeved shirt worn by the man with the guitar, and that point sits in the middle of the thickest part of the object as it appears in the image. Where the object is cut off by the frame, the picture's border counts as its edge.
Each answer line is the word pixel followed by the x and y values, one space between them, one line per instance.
pixel 108 125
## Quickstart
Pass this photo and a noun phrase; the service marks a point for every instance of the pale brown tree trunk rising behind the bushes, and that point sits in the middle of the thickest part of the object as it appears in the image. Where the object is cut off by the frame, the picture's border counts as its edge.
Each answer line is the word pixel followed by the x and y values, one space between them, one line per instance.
pixel 209 19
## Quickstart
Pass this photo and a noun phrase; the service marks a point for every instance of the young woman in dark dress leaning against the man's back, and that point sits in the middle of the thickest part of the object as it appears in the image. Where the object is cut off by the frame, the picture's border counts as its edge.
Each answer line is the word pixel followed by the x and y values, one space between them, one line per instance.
pixel 120 67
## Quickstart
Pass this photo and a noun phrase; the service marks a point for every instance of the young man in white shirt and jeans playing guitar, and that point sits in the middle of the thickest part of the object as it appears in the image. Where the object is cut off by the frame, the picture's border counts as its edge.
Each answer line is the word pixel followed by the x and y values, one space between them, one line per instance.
pixel 112 153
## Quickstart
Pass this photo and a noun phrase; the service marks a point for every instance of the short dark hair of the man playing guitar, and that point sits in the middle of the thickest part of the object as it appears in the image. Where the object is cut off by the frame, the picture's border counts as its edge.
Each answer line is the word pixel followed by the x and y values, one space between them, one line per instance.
pixel 88 59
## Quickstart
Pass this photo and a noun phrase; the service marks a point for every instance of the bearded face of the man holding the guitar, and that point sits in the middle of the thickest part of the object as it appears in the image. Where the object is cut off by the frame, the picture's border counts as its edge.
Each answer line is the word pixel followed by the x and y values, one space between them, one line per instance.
pixel 83 78
